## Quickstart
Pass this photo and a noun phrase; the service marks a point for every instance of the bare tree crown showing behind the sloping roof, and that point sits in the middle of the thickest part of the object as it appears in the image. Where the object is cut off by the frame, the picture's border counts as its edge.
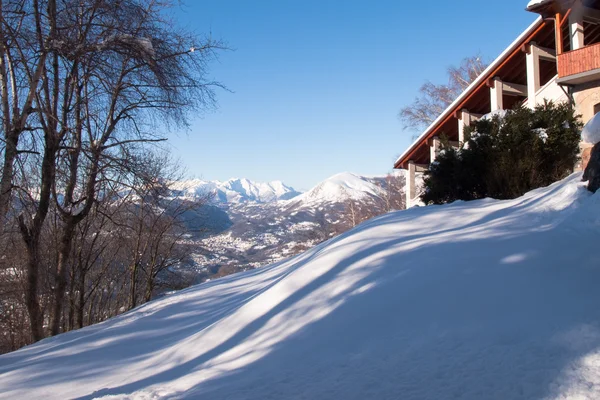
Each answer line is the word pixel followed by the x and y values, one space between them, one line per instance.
pixel 434 98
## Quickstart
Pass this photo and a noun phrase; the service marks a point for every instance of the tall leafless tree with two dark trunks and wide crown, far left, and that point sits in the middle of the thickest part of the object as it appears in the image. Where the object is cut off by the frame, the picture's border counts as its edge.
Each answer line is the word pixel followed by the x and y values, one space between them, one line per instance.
pixel 101 78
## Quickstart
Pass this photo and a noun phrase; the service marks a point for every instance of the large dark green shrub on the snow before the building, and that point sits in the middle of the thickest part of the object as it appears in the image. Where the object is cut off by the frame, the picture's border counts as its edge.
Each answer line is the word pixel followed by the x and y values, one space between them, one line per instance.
pixel 507 156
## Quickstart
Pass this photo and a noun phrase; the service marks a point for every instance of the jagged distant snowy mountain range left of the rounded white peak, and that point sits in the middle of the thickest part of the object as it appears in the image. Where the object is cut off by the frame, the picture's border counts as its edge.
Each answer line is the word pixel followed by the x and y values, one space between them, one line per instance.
pixel 238 190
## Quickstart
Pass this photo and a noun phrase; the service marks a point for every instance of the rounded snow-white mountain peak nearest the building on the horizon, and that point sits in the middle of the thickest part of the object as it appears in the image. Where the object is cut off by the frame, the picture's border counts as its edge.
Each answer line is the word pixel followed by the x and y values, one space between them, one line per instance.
pixel 339 188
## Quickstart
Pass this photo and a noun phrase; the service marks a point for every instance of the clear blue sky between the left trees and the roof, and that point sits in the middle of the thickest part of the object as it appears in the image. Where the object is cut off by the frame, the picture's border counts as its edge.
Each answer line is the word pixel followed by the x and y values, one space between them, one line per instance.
pixel 317 84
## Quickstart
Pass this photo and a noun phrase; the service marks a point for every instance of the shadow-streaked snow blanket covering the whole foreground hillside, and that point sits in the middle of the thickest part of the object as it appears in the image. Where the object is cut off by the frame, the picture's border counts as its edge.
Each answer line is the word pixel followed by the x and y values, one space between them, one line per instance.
pixel 473 300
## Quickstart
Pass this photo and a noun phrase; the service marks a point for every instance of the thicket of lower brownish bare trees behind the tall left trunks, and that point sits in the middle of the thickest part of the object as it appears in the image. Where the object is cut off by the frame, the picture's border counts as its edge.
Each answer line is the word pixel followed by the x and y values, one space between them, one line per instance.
pixel 133 224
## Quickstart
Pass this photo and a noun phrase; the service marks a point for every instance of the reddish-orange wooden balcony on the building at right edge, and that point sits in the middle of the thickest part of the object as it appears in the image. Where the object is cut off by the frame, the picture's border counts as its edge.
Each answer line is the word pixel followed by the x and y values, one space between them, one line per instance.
pixel 579 66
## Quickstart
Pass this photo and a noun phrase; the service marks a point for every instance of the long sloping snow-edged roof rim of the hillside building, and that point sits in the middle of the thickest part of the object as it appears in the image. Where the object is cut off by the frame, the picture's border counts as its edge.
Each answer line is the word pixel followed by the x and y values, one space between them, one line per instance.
pixel 473 85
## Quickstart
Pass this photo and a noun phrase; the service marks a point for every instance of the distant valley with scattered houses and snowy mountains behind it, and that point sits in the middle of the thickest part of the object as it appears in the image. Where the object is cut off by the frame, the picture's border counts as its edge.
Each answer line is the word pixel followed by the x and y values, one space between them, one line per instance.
pixel 250 224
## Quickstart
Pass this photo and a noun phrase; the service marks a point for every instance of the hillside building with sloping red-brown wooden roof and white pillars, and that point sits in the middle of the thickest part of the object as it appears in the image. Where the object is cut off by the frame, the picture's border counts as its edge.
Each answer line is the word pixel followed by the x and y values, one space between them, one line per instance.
pixel 556 58
